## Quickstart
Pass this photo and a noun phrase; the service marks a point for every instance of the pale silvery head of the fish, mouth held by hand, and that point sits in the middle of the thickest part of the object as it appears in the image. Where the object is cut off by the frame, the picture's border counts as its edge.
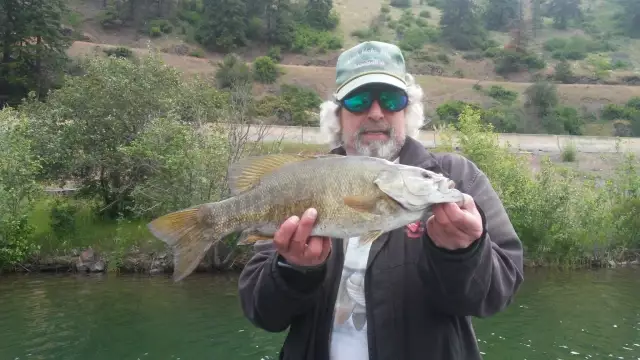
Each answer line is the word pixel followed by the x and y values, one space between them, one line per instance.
pixel 415 188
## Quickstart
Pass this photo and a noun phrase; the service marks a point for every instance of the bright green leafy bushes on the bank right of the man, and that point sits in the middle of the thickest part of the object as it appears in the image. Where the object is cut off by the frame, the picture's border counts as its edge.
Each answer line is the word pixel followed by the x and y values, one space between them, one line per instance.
pixel 560 217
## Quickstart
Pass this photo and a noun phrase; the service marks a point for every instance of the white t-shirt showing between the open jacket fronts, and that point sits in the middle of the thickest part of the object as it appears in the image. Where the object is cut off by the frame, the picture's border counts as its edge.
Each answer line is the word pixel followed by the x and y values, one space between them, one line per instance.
pixel 349 333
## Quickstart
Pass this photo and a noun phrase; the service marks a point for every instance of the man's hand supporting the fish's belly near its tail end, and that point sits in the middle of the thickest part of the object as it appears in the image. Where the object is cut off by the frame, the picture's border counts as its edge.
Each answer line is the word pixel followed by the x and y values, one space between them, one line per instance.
pixel 294 244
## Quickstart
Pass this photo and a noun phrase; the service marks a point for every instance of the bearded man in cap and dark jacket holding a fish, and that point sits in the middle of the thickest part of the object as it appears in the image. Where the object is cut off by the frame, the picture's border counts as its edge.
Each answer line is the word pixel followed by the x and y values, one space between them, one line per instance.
pixel 411 293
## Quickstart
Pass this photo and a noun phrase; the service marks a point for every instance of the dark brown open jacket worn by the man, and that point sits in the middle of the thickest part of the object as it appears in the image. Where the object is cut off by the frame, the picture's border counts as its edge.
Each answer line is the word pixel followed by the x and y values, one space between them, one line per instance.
pixel 420 298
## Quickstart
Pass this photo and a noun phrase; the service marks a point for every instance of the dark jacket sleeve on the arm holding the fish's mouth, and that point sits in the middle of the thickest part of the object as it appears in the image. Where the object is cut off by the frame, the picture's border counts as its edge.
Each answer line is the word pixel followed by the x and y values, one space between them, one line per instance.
pixel 484 278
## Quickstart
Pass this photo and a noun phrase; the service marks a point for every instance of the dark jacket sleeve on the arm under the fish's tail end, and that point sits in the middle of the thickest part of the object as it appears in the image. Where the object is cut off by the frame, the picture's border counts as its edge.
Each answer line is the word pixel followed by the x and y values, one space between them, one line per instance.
pixel 271 295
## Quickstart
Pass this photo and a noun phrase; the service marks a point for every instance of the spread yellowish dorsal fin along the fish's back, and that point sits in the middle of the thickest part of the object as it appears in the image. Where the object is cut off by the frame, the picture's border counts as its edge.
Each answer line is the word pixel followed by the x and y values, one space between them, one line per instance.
pixel 247 172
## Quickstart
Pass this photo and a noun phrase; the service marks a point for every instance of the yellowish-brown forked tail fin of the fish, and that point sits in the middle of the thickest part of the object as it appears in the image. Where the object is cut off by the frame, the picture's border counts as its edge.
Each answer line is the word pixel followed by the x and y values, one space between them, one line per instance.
pixel 182 231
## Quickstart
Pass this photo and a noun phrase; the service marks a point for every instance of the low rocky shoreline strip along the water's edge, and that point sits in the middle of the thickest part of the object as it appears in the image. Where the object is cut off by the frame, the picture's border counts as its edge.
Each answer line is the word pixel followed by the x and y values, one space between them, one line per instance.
pixel 161 263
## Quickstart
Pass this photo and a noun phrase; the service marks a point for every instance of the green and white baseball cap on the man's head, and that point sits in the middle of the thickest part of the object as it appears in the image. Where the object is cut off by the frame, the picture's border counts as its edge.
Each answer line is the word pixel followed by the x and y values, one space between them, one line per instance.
pixel 369 62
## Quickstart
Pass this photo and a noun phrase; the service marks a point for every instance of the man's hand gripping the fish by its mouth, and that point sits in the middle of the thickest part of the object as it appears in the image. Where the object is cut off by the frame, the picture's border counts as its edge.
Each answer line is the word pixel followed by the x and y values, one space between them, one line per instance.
pixel 455 227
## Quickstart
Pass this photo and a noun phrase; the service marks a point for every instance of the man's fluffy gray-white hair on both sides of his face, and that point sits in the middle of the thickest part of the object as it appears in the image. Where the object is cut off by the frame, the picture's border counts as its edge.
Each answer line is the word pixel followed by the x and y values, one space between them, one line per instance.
pixel 414 115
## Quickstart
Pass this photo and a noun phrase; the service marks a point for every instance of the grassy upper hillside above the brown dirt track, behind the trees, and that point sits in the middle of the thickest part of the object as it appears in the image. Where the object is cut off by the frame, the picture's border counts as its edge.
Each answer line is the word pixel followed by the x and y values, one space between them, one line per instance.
pixel 593 48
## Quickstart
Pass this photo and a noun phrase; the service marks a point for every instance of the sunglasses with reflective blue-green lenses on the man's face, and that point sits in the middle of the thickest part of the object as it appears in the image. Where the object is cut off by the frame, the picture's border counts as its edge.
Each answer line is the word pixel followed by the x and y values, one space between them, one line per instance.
pixel 389 99
